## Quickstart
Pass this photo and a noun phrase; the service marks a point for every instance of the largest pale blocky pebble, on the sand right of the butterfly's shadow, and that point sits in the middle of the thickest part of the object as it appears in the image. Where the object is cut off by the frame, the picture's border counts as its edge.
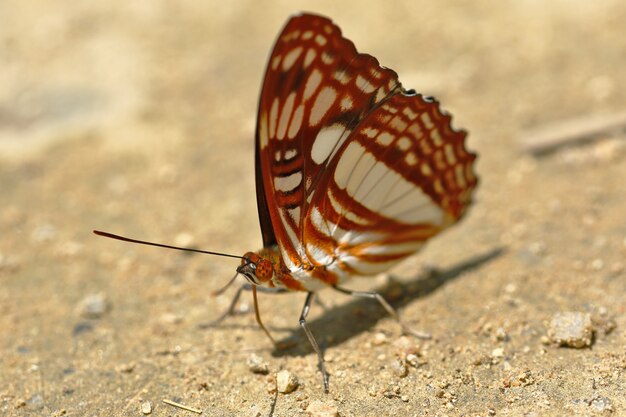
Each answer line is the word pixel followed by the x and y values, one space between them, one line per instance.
pixel 571 329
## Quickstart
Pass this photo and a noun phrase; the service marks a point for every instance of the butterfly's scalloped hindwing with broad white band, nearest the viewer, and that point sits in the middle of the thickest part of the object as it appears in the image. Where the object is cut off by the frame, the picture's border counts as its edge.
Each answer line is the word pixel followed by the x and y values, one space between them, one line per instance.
pixel 402 176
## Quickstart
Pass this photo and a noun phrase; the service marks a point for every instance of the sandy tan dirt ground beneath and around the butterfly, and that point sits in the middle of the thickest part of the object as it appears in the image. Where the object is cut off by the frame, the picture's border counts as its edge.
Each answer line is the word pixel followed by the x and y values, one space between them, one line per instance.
pixel 138 118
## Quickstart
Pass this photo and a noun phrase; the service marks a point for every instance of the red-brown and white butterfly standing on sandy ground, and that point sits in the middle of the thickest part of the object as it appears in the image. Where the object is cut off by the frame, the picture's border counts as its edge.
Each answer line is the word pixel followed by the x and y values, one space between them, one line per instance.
pixel 354 173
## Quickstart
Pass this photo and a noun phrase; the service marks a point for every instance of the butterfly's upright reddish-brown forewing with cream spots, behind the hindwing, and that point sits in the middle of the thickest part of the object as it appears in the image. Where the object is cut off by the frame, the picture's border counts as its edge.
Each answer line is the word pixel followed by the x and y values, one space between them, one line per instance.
pixel 317 89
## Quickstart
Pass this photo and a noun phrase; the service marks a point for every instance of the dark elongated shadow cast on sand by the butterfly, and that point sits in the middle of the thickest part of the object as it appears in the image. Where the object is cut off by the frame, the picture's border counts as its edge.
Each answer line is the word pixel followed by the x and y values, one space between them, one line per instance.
pixel 339 324
